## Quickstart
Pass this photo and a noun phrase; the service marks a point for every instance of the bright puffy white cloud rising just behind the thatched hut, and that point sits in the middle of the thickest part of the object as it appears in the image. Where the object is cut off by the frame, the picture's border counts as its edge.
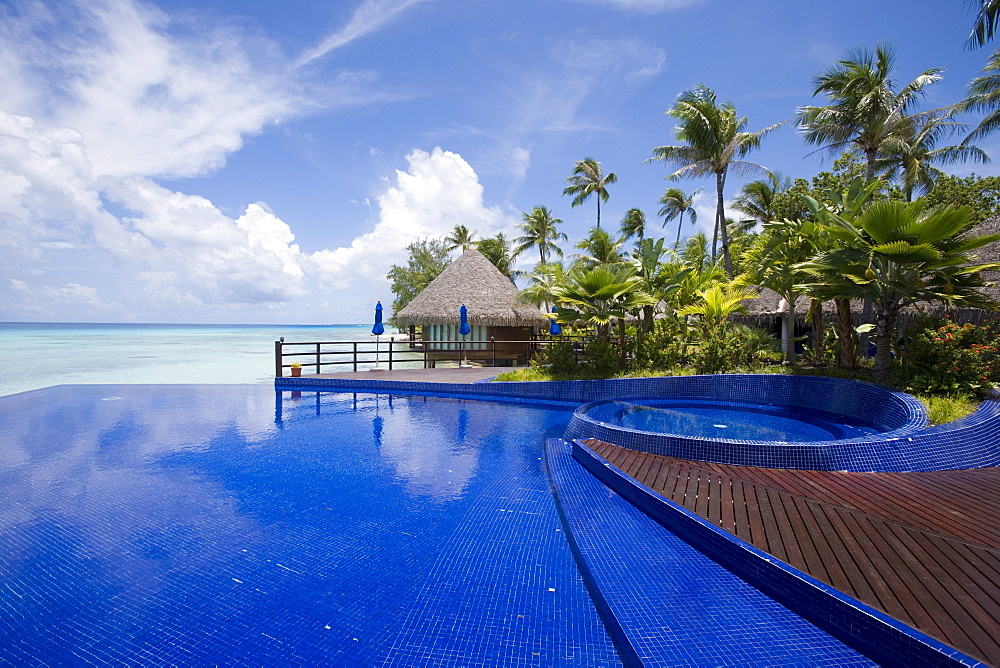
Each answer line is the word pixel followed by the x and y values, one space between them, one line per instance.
pixel 438 191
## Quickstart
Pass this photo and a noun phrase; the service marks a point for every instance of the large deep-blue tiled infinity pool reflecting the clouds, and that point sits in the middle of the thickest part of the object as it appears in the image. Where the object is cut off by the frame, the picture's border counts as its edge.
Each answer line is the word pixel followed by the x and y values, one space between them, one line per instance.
pixel 243 526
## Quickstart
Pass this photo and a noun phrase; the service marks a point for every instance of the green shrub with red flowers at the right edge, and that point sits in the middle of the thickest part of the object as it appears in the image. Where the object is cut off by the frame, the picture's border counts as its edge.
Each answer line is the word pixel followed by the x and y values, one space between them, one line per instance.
pixel 943 357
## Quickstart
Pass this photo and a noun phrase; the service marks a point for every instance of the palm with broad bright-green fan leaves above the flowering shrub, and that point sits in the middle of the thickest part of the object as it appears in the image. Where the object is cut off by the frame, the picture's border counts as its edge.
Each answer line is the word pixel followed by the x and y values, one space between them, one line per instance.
pixel 899 253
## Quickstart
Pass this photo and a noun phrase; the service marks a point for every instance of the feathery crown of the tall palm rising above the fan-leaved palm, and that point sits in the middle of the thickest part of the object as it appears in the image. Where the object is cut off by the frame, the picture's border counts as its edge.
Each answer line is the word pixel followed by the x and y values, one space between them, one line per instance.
pixel 865 110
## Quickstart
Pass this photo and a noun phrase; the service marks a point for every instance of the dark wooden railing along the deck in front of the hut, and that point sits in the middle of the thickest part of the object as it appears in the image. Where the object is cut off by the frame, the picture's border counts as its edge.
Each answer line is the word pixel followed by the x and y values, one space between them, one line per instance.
pixel 320 356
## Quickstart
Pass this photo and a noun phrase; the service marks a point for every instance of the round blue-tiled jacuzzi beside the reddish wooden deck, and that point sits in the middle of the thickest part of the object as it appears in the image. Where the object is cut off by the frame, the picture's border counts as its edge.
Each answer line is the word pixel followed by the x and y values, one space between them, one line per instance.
pixel 774 421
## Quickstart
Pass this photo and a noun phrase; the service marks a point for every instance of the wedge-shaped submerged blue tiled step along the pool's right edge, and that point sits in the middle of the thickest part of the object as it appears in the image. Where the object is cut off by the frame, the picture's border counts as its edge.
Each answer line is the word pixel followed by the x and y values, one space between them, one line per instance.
pixel 675 605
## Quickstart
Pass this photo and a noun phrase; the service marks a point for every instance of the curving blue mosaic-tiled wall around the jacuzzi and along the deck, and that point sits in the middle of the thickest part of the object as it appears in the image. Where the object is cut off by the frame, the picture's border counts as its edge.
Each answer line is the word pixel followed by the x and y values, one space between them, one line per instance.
pixel 971 442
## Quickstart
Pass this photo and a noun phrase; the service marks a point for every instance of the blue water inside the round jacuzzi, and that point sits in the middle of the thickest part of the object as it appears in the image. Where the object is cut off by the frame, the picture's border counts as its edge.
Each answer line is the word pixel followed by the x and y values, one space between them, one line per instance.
pixel 727 420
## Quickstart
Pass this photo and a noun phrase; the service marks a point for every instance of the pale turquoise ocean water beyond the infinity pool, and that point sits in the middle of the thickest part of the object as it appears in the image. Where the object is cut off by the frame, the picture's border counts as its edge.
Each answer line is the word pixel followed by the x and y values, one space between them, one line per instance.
pixel 35 355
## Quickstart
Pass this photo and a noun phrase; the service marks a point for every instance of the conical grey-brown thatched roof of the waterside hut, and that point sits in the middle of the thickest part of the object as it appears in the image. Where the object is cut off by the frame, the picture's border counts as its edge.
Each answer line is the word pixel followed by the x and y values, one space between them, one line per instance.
pixel 489 296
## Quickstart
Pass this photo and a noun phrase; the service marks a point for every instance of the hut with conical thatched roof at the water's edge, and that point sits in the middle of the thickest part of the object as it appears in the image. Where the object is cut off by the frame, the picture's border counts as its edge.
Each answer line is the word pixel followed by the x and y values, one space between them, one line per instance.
pixel 495 312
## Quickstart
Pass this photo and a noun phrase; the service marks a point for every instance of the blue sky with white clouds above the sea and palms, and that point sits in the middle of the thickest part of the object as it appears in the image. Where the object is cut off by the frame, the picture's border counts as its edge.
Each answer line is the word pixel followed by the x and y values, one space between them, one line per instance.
pixel 265 162
